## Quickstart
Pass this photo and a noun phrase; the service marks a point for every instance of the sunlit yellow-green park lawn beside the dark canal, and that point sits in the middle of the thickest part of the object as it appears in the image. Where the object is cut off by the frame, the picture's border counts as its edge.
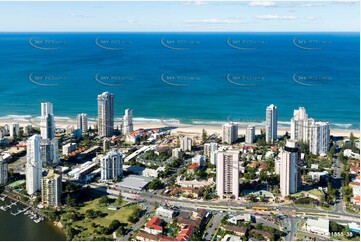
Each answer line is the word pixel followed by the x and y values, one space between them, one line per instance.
pixel 121 215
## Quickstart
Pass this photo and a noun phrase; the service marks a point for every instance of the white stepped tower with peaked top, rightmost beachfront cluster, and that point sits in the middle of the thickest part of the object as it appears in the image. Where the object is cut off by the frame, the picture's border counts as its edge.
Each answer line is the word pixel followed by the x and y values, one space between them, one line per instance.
pixel 300 125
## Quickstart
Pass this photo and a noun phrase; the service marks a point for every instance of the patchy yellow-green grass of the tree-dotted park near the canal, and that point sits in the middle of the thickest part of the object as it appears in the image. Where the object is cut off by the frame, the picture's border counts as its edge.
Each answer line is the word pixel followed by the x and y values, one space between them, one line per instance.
pixel 88 226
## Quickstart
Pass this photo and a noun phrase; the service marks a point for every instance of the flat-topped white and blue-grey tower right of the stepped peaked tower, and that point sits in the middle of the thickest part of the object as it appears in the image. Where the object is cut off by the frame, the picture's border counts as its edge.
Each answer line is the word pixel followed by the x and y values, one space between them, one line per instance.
pixel 319 138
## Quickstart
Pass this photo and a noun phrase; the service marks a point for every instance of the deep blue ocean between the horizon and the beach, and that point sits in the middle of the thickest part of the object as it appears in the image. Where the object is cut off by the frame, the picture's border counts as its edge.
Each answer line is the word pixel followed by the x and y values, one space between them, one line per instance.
pixel 193 77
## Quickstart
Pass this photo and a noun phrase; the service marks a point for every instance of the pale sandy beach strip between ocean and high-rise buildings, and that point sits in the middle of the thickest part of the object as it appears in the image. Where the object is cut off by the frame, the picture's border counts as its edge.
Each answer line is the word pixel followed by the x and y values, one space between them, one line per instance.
pixel 180 128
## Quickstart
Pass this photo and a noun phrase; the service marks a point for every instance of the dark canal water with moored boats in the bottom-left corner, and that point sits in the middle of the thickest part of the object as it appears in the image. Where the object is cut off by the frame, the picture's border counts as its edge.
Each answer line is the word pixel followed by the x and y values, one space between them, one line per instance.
pixel 21 227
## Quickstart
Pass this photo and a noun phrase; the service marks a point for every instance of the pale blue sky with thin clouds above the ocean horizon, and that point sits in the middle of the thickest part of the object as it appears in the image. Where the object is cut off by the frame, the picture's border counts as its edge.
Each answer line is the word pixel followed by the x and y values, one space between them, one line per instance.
pixel 188 16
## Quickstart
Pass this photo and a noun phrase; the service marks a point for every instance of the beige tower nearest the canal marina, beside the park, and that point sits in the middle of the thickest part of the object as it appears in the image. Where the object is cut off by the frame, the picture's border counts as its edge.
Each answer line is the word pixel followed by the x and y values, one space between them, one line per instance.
pixel 51 189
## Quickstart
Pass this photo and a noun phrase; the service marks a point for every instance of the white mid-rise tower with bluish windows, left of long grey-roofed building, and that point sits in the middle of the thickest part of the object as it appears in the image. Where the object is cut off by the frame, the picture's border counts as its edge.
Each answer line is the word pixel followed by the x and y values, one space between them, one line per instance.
pixel 111 166
